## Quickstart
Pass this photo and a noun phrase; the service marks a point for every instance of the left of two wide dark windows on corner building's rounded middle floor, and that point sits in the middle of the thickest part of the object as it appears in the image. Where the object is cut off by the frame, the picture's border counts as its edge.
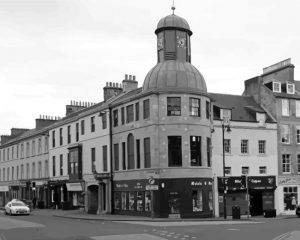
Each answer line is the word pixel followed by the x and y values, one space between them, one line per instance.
pixel 174 151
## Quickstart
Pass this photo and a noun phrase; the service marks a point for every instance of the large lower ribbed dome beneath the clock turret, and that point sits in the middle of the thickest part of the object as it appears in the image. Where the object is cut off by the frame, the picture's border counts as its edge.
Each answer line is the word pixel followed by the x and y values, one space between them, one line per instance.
pixel 174 75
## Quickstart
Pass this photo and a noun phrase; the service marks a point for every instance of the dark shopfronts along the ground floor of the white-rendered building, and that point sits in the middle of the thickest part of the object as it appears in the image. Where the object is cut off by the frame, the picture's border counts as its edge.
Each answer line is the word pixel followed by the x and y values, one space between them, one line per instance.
pixel 261 192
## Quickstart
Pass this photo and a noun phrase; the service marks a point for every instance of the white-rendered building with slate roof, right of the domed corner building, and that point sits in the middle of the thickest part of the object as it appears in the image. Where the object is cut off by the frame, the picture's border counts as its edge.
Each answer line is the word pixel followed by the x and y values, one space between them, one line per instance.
pixel 250 148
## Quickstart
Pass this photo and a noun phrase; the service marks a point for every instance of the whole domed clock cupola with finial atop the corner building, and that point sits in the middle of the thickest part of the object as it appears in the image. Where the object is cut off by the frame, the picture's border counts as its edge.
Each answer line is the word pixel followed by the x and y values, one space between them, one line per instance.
pixel 174 70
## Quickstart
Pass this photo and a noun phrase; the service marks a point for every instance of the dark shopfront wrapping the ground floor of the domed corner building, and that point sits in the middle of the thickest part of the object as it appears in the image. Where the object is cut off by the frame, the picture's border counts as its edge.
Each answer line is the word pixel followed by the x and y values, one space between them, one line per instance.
pixel 179 197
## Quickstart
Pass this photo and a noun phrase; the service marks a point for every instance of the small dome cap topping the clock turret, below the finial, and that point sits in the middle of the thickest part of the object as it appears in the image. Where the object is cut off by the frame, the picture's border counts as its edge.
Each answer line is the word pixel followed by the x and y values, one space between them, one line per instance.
pixel 173 21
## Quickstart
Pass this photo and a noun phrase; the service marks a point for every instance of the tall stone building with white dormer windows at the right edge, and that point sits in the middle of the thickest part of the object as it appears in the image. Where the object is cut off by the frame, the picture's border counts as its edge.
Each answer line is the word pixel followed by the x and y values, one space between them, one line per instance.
pixel 278 93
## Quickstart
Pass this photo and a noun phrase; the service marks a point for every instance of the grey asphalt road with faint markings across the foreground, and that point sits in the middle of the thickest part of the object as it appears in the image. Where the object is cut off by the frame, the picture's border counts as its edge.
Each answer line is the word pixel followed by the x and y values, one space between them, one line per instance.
pixel 36 227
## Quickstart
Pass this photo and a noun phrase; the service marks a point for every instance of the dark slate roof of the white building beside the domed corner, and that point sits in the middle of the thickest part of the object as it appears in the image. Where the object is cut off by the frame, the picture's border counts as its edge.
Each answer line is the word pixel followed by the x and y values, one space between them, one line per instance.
pixel 243 108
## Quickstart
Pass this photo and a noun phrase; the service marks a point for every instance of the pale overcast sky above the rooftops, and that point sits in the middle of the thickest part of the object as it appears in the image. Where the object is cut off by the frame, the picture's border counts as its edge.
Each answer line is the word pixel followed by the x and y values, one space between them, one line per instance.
pixel 55 51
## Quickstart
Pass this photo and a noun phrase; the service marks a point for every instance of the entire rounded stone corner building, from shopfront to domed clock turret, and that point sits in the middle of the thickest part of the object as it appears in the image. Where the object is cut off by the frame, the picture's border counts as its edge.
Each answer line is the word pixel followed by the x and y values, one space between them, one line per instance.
pixel 161 134
